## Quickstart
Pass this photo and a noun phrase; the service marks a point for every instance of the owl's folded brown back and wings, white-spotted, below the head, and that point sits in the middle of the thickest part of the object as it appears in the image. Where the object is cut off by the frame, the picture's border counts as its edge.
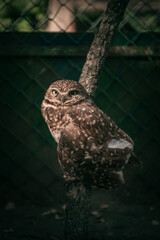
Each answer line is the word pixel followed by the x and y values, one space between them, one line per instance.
pixel 92 147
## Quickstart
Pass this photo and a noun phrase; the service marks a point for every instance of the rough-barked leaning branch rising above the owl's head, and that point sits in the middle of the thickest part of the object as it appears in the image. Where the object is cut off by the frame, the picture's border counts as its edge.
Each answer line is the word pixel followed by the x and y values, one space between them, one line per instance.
pixel 101 44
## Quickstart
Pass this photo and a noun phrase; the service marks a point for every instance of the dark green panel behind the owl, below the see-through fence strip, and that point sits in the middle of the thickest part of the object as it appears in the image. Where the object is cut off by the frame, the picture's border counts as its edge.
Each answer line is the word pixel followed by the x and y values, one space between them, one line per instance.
pixel 128 91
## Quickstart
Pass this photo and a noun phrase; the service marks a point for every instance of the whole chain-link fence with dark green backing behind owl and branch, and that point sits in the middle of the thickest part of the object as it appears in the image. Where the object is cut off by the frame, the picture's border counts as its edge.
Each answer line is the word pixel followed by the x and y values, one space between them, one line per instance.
pixel 128 88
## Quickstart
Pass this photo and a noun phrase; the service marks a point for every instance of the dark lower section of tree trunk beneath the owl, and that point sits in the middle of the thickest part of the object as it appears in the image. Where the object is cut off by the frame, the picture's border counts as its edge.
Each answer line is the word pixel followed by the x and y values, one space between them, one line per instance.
pixel 77 211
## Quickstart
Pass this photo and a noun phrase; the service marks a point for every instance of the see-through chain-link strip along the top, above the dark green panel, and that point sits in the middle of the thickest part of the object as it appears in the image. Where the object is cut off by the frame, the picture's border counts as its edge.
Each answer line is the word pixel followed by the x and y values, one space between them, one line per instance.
pixel 74 15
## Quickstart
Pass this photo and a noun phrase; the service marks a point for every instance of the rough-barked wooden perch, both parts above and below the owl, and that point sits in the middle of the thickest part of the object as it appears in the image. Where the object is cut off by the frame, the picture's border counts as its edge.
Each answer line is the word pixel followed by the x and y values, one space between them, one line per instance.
pixel 76 220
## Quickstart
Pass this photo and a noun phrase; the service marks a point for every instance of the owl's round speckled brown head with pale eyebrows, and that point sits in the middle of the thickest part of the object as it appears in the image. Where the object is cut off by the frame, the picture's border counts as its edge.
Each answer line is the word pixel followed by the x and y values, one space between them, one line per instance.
pixel 66 93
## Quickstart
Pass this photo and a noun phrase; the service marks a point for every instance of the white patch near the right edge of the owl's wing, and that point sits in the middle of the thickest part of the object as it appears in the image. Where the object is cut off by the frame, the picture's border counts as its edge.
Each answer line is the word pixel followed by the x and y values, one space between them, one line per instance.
pixel 121 144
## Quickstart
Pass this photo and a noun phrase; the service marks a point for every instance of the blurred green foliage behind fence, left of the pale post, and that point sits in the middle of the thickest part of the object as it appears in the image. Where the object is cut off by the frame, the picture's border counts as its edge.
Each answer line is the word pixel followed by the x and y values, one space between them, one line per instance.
pixel 21 16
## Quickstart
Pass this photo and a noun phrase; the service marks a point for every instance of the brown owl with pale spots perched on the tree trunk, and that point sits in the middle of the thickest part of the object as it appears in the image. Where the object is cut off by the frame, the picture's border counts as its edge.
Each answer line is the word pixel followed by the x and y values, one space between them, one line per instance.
pixel 91 147
